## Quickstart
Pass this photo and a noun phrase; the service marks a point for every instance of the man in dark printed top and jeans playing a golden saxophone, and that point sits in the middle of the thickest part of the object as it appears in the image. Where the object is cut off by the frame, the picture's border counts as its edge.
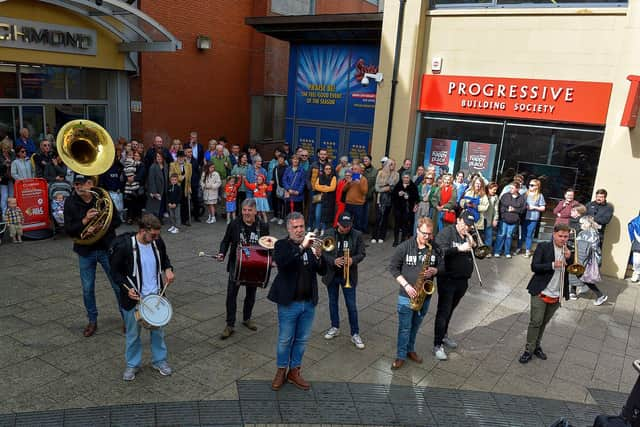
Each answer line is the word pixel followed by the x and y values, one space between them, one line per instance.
pixel 414 265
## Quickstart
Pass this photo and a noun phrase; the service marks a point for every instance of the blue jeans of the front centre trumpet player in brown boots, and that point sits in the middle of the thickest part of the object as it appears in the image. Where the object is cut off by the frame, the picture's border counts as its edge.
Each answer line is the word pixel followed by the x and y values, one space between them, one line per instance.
pixel 294 328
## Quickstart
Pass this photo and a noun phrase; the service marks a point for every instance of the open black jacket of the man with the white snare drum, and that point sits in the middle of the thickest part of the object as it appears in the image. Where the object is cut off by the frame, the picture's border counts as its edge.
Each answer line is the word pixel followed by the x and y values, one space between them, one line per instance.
pixel 121 259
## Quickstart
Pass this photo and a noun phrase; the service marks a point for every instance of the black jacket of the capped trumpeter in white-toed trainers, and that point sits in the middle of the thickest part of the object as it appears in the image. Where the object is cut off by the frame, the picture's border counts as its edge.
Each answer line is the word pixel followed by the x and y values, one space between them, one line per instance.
pixel 357 253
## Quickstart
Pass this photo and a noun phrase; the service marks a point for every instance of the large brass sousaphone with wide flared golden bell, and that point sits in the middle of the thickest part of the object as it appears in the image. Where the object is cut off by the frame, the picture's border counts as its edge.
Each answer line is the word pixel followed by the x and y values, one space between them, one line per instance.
pixel 87 149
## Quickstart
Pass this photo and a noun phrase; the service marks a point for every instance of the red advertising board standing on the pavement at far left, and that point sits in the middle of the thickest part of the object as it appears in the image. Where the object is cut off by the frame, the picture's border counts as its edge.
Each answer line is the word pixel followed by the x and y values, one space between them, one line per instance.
pixel 32 198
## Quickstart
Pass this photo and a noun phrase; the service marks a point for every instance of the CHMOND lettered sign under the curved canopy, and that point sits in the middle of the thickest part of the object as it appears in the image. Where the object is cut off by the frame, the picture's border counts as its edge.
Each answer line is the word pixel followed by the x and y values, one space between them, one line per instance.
pixel 23 34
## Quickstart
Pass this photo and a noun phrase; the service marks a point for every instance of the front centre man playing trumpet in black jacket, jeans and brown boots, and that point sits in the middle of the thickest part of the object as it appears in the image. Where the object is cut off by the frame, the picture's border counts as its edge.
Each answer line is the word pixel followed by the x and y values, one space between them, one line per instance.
pixel 295 290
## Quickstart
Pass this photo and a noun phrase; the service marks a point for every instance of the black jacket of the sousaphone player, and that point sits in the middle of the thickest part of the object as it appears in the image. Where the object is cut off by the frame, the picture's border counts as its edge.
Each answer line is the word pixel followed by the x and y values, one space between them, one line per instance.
pixel 74 210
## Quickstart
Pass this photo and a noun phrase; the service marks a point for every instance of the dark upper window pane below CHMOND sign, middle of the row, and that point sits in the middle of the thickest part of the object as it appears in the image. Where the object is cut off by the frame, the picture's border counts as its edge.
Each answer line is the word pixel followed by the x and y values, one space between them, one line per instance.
pixel 42 82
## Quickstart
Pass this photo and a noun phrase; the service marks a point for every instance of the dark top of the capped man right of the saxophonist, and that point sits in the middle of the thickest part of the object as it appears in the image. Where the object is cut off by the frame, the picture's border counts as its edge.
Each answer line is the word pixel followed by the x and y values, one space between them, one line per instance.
pixel 458 265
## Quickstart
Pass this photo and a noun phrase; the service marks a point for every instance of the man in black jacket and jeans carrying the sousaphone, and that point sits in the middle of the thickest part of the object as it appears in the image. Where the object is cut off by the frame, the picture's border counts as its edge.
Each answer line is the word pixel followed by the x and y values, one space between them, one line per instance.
pixel 79 211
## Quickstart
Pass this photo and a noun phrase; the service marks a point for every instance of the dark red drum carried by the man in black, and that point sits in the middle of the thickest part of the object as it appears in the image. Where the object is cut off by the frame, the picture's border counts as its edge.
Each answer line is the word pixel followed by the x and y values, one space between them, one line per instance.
pixel 253 266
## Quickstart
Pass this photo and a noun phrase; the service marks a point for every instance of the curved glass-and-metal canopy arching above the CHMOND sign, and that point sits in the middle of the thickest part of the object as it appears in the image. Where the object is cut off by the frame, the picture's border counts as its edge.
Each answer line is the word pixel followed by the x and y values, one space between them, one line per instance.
pixel 138 31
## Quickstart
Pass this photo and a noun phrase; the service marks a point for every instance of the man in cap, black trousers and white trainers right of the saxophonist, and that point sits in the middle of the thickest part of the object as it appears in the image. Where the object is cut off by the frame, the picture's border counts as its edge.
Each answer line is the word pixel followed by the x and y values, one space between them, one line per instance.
pixel 453 281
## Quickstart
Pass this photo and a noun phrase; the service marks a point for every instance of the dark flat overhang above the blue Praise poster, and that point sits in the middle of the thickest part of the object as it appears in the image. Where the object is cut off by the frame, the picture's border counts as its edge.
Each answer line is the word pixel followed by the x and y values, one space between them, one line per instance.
pixel 353 27
